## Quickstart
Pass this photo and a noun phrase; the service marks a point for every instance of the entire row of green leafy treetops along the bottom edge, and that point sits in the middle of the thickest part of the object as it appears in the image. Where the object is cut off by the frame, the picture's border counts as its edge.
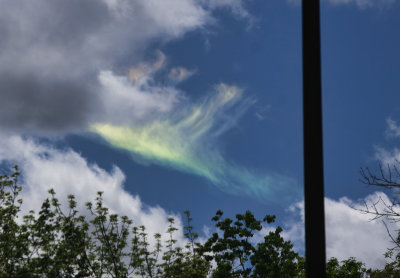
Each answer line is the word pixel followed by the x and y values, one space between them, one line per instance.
pixel 56 242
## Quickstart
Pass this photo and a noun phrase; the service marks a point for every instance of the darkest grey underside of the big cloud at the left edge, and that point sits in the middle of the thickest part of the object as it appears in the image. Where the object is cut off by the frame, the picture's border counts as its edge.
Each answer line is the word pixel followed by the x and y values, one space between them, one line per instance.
pixel 30 104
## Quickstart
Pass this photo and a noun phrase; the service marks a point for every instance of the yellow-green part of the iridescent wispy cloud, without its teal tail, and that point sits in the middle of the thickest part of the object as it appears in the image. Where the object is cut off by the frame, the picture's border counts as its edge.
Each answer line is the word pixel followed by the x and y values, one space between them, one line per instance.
pixel 178 141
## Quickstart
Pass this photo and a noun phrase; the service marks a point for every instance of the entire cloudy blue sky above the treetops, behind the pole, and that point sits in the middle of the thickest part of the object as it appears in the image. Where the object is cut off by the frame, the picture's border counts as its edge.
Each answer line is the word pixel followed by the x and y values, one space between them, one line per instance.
pixel 177 105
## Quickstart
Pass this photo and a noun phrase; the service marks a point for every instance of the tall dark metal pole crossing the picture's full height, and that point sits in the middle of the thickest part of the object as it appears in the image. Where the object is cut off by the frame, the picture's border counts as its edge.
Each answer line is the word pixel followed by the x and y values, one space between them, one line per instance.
pixel 313 152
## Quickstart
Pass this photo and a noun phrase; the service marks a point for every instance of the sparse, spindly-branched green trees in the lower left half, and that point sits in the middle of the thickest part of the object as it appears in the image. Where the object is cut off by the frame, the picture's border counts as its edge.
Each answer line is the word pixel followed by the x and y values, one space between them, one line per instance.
pixel 57 243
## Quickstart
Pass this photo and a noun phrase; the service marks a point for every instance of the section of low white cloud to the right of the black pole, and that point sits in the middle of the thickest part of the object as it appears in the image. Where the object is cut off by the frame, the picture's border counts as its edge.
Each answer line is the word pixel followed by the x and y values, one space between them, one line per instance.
pixel 351 234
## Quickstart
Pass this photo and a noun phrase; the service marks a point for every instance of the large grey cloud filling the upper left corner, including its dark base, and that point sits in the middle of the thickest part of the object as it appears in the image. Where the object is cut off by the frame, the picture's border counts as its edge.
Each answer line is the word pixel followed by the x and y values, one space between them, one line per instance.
pixel 53 54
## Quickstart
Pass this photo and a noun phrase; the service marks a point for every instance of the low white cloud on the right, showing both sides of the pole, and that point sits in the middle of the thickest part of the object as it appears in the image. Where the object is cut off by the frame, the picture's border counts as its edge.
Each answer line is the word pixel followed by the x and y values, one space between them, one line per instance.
pixel 349 232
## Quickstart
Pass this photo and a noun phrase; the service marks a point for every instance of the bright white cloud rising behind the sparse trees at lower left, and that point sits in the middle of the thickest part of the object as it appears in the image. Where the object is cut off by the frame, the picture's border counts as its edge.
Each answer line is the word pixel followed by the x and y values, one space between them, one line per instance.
pixel 67 172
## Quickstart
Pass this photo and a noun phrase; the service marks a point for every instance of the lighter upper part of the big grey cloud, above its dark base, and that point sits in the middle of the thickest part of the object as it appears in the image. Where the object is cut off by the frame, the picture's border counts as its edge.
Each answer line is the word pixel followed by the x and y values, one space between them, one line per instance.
pixel 88 36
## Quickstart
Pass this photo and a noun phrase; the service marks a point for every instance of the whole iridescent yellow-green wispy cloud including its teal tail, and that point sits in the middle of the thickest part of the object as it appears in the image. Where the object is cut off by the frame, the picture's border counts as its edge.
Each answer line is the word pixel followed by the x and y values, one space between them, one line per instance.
pixel 186 141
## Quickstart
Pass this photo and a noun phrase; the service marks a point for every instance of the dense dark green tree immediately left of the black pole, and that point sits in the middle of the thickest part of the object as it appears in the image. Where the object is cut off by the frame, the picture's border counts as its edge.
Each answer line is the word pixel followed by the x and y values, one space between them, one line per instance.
pixel 236 255
